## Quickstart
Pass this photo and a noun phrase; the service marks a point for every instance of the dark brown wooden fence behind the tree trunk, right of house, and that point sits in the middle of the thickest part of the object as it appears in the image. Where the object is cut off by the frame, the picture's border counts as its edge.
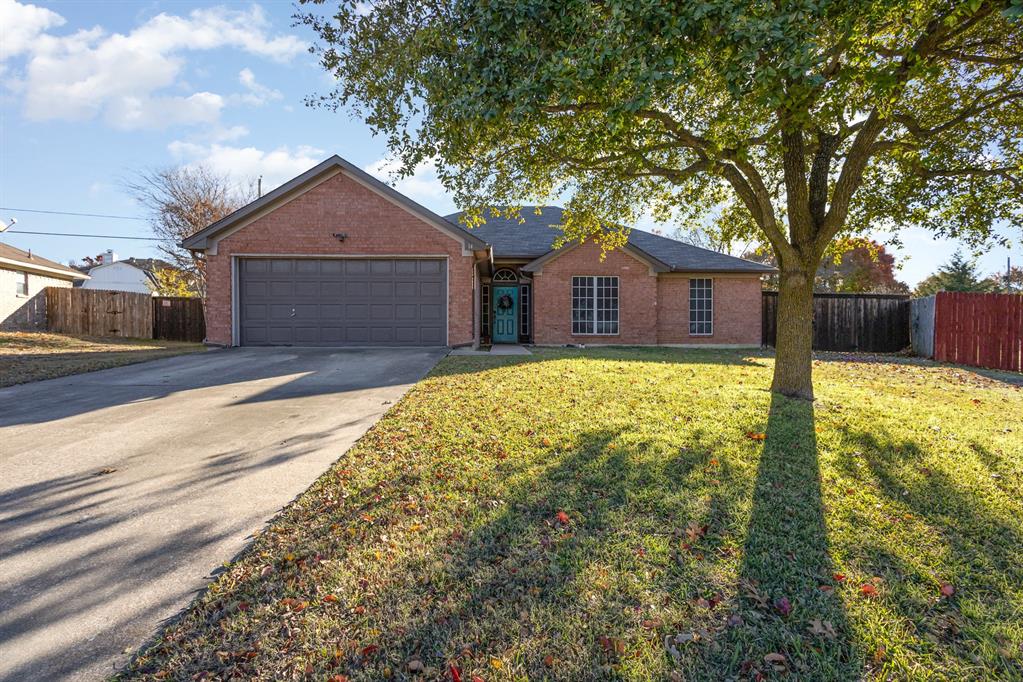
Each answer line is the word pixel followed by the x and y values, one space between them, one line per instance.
pixel 871 323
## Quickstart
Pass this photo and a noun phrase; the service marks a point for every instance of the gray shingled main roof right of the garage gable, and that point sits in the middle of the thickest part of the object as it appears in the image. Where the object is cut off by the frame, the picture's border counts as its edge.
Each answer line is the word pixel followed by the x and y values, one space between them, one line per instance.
pixel 537 235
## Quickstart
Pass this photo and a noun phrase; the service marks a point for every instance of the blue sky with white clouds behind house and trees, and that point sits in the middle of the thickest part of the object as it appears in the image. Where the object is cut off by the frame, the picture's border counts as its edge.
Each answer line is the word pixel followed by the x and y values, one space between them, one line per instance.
pixel 93 93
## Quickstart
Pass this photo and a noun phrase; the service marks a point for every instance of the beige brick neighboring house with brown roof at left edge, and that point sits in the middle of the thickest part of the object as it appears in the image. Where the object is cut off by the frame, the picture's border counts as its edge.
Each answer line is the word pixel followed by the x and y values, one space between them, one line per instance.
pixel 24 277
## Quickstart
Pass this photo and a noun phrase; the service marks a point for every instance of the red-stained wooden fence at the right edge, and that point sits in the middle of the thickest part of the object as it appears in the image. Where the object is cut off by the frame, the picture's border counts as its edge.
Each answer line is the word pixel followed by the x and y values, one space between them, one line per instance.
pixel 980 330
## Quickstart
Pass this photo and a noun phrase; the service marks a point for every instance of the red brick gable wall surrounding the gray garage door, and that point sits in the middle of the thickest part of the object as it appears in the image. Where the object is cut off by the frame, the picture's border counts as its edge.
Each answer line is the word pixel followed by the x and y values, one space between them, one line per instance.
pixel 375 228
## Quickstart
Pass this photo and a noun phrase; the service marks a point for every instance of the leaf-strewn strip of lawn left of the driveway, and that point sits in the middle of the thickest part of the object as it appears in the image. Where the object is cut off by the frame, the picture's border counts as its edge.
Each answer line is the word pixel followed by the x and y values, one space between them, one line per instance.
pixel 31 356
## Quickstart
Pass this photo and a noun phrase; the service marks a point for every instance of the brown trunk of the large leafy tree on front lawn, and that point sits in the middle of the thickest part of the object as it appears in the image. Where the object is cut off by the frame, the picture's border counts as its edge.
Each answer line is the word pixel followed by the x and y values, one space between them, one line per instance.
pixel 793 360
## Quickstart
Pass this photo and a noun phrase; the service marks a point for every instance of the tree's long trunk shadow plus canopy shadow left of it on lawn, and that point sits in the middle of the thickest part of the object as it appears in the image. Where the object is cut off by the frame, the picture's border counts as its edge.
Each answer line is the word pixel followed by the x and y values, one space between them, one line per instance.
pixel 650 551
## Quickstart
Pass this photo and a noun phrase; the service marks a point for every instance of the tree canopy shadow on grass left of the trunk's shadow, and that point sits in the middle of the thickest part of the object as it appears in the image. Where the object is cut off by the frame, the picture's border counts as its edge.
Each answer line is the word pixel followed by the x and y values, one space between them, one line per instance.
pixel 597 594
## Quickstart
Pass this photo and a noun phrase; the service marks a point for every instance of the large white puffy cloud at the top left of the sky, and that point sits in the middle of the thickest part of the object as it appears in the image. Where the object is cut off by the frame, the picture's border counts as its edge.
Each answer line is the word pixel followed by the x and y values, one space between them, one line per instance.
pixel 92 73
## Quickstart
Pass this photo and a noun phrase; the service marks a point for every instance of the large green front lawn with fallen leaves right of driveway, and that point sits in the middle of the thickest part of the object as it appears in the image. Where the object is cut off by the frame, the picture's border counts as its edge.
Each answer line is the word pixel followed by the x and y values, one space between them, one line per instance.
pixel 436 540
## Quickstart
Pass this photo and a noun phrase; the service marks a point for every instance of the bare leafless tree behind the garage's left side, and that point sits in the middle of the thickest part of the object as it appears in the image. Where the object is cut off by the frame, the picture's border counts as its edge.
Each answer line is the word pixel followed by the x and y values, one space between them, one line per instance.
pixel 184 201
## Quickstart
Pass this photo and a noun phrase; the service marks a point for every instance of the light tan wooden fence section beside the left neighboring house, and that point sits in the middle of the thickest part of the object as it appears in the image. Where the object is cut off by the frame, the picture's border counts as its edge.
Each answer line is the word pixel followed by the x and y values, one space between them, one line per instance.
pixel 99 313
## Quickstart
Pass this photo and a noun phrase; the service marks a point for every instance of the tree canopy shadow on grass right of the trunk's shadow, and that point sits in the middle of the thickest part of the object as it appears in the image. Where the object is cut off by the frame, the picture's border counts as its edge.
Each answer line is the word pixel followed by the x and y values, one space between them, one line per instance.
pixel 946 517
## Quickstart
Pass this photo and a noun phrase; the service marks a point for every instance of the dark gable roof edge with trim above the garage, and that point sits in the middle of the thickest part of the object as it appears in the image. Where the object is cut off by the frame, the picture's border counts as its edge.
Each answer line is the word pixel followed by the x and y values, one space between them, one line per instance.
pixel 202 240
